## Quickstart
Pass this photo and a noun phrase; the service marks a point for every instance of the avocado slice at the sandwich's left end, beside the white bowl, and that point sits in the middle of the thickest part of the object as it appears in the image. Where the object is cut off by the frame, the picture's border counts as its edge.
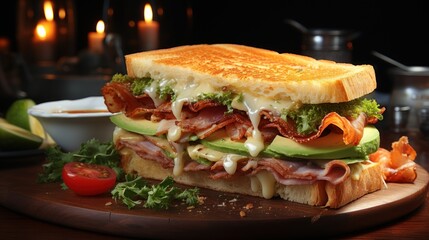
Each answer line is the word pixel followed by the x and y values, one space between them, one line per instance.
pixel 144 127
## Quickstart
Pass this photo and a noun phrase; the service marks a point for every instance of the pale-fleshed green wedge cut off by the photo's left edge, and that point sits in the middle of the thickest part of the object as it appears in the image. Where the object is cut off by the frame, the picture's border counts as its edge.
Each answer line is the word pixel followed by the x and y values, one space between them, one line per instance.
pixel 14 138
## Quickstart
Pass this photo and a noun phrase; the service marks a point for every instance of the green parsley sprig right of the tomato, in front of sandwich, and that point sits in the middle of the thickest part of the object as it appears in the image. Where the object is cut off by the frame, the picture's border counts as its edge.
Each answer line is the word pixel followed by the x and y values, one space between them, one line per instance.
pixel 135 191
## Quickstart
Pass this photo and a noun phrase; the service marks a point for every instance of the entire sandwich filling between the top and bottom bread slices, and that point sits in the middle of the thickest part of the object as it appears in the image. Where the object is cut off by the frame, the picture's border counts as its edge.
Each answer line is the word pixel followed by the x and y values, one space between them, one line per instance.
pixel 182 126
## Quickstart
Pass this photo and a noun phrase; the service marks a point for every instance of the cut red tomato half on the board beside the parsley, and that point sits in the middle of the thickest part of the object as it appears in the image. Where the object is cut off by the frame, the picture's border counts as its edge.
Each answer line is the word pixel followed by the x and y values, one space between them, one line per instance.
pixel 88 179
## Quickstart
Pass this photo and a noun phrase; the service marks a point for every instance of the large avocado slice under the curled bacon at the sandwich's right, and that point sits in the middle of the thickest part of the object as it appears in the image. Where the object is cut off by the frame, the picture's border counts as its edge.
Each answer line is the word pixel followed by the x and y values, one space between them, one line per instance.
pixel 330 146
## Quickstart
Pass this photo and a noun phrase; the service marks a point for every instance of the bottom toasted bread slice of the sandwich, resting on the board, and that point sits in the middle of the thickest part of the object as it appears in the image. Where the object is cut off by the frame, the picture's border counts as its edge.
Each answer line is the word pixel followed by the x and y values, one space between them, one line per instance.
pixel 368 178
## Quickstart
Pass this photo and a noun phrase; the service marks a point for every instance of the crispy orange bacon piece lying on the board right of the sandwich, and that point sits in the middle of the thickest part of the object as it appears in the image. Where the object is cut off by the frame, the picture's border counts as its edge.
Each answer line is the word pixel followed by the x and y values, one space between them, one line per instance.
pixel 398 164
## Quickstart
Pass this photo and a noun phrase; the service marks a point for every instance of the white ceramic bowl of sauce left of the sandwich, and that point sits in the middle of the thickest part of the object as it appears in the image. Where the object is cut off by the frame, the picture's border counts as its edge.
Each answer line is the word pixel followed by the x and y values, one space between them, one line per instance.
pixel 72 122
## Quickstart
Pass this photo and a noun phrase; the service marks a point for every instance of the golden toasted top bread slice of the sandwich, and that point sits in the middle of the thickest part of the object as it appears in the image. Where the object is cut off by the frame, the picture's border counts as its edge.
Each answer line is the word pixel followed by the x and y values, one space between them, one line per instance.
pixel 263 73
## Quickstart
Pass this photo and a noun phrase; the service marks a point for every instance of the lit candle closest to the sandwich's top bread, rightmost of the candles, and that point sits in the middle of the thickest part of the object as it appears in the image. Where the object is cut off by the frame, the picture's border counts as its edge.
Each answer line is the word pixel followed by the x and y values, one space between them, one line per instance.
pixel 148 30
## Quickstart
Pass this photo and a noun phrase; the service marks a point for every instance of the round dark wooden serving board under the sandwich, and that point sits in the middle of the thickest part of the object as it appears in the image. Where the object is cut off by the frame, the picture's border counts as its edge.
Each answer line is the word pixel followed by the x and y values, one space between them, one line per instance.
pixel 218 217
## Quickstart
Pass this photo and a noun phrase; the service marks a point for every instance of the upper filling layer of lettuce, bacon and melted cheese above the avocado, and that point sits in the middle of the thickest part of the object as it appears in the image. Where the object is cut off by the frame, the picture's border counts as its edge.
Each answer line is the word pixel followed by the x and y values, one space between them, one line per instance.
pixel 199 109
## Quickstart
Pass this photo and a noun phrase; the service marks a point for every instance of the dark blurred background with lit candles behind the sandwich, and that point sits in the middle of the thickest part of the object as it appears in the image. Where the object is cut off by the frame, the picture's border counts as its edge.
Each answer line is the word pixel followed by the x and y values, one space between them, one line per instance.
pixel 48 54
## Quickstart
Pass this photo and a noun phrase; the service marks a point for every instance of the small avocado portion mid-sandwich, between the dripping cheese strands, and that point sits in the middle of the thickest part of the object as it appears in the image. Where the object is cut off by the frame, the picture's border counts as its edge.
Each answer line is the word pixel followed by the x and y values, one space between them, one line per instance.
pixel 221 142
